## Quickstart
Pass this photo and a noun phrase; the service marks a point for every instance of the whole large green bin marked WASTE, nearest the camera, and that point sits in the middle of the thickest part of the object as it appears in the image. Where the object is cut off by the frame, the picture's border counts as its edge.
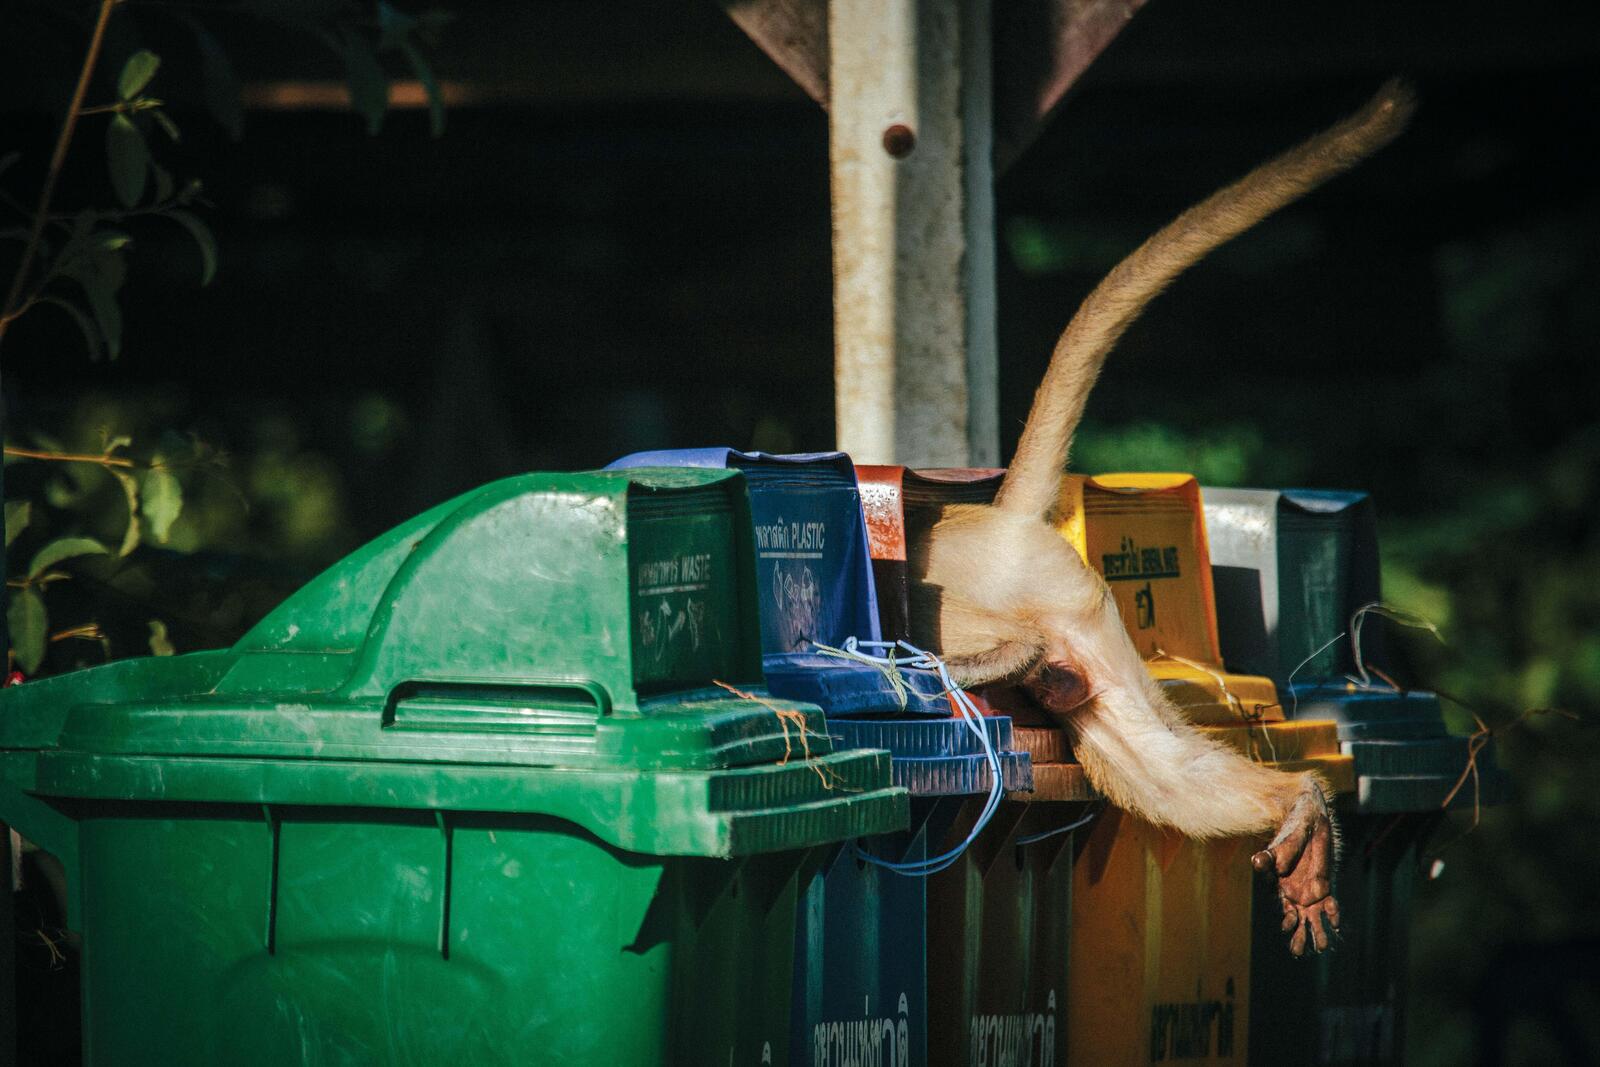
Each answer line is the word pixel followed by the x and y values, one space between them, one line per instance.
pixel 470 797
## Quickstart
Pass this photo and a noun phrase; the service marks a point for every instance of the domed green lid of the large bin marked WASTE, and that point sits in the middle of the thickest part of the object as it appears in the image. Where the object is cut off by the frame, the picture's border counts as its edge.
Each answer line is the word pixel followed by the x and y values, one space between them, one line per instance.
pixel 596 626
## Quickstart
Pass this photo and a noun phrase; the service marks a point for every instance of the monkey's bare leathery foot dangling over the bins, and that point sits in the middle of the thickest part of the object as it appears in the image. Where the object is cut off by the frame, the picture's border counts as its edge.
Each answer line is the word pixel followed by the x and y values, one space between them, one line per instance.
pixel 1302 860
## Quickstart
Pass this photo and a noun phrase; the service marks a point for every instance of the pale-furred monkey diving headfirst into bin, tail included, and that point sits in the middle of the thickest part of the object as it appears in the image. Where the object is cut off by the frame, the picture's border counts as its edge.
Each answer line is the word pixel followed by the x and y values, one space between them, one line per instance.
pixel 1006 597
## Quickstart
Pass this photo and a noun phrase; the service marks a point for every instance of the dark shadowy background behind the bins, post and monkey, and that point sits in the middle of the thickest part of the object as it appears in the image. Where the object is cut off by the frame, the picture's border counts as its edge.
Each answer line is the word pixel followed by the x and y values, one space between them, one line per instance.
pixel 623 242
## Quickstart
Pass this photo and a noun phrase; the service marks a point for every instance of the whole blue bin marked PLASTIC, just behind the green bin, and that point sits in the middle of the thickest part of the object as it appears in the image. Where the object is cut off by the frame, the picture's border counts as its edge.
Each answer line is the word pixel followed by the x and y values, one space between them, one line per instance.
pixel 862 938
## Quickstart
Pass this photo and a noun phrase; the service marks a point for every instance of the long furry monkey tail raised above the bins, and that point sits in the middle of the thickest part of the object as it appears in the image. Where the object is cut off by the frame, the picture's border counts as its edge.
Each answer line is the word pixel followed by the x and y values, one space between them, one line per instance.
pixel 1033 482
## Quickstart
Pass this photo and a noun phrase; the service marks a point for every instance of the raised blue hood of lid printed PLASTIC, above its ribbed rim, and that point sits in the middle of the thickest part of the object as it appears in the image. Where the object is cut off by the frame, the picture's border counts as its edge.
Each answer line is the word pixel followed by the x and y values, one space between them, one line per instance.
pixel 815 581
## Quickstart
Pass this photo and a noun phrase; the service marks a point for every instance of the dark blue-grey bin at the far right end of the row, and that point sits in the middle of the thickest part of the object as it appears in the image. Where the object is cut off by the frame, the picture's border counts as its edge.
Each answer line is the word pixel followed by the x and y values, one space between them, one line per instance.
pixel 1289 570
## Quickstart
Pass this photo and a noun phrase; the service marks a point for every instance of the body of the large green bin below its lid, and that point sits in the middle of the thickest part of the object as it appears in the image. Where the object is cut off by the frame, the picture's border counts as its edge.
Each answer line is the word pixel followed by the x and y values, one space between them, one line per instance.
pixel 226 937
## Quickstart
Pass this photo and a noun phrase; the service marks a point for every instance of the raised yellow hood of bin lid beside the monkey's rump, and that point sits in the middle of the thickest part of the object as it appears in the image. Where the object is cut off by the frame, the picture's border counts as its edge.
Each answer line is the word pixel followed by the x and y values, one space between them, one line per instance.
pixel 1145 533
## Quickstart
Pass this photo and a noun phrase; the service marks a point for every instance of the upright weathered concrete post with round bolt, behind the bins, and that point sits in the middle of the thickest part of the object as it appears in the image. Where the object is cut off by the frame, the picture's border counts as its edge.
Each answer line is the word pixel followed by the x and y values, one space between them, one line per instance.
pixel 914 263
